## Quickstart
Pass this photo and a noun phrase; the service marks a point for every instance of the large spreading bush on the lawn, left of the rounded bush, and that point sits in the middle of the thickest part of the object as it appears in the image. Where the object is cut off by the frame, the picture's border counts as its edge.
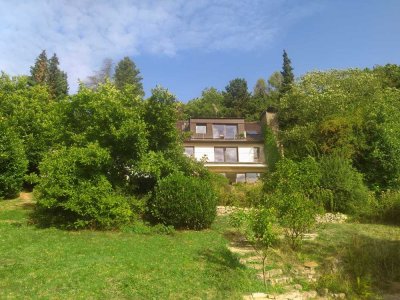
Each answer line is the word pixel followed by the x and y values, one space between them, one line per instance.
pixel 73 191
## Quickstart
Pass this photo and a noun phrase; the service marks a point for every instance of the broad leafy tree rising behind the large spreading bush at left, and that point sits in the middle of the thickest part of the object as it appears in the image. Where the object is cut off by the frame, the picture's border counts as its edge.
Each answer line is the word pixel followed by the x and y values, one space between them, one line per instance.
pixel 112 119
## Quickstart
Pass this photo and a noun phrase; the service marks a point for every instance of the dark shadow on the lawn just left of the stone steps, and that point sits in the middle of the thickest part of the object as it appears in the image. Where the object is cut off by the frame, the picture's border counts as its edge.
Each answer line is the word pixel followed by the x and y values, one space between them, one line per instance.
pixel 222 257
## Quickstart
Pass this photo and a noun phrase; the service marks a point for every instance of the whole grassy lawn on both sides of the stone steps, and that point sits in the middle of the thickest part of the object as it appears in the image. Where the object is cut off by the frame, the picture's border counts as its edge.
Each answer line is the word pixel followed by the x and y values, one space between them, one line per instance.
pixel 57 264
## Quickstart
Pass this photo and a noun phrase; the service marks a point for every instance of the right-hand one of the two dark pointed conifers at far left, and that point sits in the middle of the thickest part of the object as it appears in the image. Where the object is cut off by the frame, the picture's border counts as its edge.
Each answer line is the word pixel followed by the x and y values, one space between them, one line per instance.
pixel 57 79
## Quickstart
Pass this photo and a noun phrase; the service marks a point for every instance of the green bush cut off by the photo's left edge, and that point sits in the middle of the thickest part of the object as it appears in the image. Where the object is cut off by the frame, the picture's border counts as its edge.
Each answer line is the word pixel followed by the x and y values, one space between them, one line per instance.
pixel 13 162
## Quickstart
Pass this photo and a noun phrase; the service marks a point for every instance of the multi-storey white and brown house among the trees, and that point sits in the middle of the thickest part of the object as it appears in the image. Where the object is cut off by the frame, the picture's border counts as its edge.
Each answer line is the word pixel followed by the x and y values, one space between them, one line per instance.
pixel 230 146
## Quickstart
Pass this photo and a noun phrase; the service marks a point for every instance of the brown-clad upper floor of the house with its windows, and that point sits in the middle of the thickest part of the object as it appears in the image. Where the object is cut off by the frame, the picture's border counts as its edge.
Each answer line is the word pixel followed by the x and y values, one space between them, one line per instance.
pixel 221 129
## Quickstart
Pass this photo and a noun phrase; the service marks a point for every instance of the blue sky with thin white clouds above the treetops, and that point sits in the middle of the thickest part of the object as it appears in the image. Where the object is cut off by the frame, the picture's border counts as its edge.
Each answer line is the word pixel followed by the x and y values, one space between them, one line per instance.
pixel 189 45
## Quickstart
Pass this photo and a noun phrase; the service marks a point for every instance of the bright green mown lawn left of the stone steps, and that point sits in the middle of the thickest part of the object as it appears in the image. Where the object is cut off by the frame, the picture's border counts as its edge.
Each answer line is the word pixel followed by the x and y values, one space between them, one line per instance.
pixel 51 263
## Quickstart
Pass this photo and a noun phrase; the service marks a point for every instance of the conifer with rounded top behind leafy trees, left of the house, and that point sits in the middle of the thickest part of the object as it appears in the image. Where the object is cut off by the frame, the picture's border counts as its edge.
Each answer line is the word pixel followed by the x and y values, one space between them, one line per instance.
pixel 126 72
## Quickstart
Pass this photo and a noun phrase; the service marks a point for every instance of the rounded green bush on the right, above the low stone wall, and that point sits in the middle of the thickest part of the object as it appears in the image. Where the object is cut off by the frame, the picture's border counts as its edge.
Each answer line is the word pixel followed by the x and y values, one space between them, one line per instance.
pixel 349 191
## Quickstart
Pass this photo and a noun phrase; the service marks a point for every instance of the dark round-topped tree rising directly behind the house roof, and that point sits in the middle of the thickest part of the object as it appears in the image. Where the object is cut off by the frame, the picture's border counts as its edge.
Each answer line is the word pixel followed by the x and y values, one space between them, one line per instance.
pixel 236 97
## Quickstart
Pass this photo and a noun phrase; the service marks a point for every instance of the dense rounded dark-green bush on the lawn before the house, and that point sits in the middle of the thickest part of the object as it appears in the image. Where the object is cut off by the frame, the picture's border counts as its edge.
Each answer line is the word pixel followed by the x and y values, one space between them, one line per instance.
pixel 184 202
